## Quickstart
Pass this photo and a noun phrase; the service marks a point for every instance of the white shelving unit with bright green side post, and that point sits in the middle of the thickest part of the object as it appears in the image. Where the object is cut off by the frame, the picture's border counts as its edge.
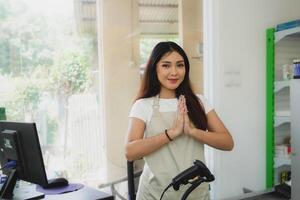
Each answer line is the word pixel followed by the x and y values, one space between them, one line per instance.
pixel 282 46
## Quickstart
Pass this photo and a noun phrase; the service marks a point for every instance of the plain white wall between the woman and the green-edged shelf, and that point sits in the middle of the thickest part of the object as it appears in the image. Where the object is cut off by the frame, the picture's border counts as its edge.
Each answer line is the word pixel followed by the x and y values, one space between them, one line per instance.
pixel 235 57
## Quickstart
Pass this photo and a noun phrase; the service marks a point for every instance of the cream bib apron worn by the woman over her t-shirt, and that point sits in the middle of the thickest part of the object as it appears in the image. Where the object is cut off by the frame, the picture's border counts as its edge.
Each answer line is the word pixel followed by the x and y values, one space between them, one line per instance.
pixel 168 161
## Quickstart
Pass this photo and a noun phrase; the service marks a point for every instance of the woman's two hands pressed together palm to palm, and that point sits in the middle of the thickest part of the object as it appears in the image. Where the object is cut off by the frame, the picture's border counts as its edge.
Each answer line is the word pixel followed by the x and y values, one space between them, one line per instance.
pixel 182 124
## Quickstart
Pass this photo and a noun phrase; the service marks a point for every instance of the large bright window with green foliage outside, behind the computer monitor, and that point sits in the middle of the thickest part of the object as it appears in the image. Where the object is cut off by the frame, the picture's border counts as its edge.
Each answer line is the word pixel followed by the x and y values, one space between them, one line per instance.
pixel 49 75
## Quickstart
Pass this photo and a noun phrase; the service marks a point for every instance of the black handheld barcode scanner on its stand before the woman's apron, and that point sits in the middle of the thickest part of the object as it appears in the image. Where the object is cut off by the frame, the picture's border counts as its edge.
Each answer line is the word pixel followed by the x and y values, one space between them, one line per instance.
pixel 195 175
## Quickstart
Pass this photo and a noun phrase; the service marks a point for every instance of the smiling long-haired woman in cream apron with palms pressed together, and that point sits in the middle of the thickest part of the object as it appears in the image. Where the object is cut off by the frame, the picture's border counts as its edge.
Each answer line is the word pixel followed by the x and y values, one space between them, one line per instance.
pixel 169 125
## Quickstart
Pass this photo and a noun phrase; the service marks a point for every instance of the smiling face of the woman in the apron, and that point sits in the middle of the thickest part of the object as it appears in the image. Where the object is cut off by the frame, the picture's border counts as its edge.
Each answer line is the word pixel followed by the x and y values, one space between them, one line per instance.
pixel 170 71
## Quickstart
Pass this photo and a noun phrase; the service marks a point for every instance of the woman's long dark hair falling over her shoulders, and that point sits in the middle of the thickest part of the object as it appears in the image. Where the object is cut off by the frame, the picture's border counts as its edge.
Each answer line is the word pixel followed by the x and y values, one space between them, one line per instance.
pixel 151 86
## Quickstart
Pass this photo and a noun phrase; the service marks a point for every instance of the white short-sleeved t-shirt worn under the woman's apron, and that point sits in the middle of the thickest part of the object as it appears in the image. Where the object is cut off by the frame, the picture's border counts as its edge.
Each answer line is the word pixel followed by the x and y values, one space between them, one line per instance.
pixel 143 109
